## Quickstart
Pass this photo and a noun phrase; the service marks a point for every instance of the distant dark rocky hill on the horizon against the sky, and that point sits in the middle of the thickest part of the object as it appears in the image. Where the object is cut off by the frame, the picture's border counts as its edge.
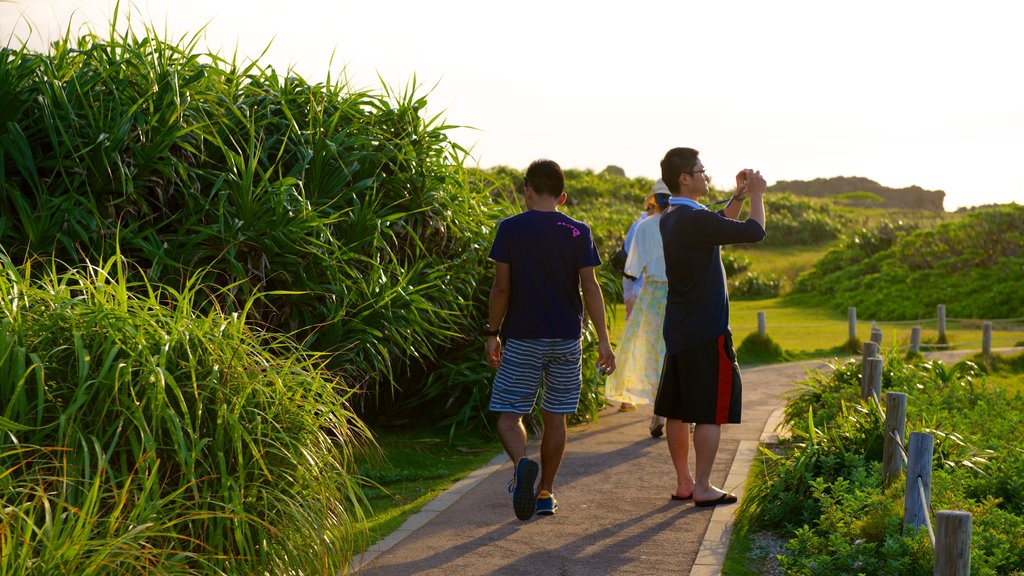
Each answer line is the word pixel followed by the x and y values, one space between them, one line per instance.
pixel 864 192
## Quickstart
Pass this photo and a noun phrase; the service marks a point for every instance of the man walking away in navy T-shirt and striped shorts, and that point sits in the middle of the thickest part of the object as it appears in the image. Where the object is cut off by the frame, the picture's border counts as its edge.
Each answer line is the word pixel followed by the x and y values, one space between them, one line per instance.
pixel 543 260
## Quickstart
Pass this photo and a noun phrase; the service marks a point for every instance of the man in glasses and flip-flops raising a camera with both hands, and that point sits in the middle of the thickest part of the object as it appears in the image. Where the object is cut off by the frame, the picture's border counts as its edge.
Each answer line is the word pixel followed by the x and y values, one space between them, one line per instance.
pixel 701 381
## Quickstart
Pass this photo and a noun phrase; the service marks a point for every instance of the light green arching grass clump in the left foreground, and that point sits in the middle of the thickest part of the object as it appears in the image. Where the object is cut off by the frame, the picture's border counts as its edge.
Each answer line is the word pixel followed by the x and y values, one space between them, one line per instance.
pixel 140 437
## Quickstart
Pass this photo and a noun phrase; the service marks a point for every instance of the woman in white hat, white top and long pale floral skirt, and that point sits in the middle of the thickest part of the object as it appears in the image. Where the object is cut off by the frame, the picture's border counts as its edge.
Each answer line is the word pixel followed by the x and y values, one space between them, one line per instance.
pixel 642 351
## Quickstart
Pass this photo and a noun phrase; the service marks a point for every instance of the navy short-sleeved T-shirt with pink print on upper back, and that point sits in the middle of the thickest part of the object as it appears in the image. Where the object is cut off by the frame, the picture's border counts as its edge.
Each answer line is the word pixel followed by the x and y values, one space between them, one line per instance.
pixel 545 253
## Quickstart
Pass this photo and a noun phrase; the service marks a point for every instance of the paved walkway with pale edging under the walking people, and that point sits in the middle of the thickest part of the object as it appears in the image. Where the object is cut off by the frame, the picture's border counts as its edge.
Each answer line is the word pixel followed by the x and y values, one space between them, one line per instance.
pixel 615 517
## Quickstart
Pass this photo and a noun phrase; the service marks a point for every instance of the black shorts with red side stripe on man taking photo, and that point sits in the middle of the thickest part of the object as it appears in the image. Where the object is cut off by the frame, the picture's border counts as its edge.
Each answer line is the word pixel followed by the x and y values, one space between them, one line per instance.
pixel 702 385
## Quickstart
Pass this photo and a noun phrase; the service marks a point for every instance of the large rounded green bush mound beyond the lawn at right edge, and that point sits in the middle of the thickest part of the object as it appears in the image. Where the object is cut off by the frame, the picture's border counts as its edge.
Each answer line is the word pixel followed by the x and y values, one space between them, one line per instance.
pixel 973 265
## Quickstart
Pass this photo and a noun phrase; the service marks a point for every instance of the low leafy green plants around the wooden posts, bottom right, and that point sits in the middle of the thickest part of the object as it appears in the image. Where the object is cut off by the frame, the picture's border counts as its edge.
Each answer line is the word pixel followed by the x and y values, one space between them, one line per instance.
pixel 823 489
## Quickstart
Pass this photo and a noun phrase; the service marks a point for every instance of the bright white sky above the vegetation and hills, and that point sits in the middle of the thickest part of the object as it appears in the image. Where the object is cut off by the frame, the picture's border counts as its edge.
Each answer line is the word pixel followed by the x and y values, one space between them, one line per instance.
pixel 904 93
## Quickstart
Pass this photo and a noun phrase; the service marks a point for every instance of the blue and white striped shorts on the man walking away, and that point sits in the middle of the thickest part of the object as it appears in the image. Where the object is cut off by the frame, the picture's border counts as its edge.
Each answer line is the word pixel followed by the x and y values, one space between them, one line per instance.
pixel 529 364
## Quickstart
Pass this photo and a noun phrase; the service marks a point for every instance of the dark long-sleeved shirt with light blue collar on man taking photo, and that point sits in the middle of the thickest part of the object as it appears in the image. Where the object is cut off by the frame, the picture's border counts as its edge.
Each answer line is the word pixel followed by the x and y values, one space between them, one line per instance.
pixel 698 307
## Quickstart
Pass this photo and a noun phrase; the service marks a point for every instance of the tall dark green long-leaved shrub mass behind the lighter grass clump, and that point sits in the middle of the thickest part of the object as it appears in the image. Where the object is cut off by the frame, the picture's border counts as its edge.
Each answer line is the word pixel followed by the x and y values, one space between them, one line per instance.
pixel 349 214
